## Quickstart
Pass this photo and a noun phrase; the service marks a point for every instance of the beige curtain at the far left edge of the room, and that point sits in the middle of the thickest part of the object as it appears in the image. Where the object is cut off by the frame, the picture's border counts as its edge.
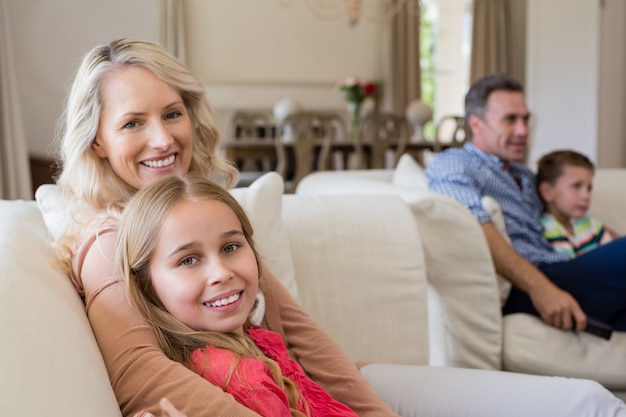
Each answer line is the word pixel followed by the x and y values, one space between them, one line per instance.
pixel 15 180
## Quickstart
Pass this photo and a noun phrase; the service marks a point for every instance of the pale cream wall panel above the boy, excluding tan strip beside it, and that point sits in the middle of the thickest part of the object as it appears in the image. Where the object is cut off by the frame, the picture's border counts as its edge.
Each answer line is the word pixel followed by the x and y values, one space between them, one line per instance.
pixel 562 75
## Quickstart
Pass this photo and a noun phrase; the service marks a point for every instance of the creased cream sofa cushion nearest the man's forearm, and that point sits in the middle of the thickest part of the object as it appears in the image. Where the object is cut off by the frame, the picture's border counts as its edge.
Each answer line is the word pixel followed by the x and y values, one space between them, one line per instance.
pixel 464 300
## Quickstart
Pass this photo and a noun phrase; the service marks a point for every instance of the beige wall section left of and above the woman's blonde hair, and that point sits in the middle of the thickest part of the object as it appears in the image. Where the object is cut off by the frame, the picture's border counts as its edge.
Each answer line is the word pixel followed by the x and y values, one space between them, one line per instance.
pixel 52 36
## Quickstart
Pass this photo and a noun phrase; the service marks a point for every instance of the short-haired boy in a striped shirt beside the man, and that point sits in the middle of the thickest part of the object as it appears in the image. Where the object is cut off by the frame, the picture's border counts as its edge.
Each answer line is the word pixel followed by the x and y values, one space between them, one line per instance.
pixel 564 182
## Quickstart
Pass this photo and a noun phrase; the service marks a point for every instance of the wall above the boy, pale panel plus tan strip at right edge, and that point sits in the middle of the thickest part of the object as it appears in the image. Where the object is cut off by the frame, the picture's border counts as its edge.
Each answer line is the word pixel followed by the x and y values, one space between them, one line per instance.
pixel 575 78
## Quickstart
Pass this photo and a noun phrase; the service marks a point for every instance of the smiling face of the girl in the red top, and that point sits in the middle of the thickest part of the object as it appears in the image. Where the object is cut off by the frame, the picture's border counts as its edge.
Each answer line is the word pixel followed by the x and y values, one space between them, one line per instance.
pixel 203 269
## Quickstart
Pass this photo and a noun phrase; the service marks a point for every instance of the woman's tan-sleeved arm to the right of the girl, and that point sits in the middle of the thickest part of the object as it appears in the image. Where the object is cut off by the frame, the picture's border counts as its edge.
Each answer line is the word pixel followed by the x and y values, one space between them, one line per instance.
pixel 320 356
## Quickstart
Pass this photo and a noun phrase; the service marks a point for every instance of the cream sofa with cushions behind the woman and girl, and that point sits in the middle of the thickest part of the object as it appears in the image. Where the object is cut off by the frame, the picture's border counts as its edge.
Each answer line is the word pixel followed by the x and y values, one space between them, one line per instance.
pixel 392 282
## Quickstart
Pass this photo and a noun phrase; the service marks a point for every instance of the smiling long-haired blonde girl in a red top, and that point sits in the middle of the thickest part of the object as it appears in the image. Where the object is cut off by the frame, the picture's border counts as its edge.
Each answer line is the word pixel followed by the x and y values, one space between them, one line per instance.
pixel 187 255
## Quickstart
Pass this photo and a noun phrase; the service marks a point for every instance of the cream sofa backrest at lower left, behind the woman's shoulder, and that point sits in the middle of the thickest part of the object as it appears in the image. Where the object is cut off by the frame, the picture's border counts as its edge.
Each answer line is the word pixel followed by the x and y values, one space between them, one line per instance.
pixel 58 359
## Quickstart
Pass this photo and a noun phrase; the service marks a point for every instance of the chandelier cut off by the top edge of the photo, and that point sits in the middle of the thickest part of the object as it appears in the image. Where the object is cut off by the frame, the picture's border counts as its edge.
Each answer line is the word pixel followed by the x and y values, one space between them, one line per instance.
pixel 354 10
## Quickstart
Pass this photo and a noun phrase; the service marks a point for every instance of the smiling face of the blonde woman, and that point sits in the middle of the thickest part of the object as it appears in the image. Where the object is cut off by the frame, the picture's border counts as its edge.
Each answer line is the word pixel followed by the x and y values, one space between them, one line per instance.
pixel 144 130
